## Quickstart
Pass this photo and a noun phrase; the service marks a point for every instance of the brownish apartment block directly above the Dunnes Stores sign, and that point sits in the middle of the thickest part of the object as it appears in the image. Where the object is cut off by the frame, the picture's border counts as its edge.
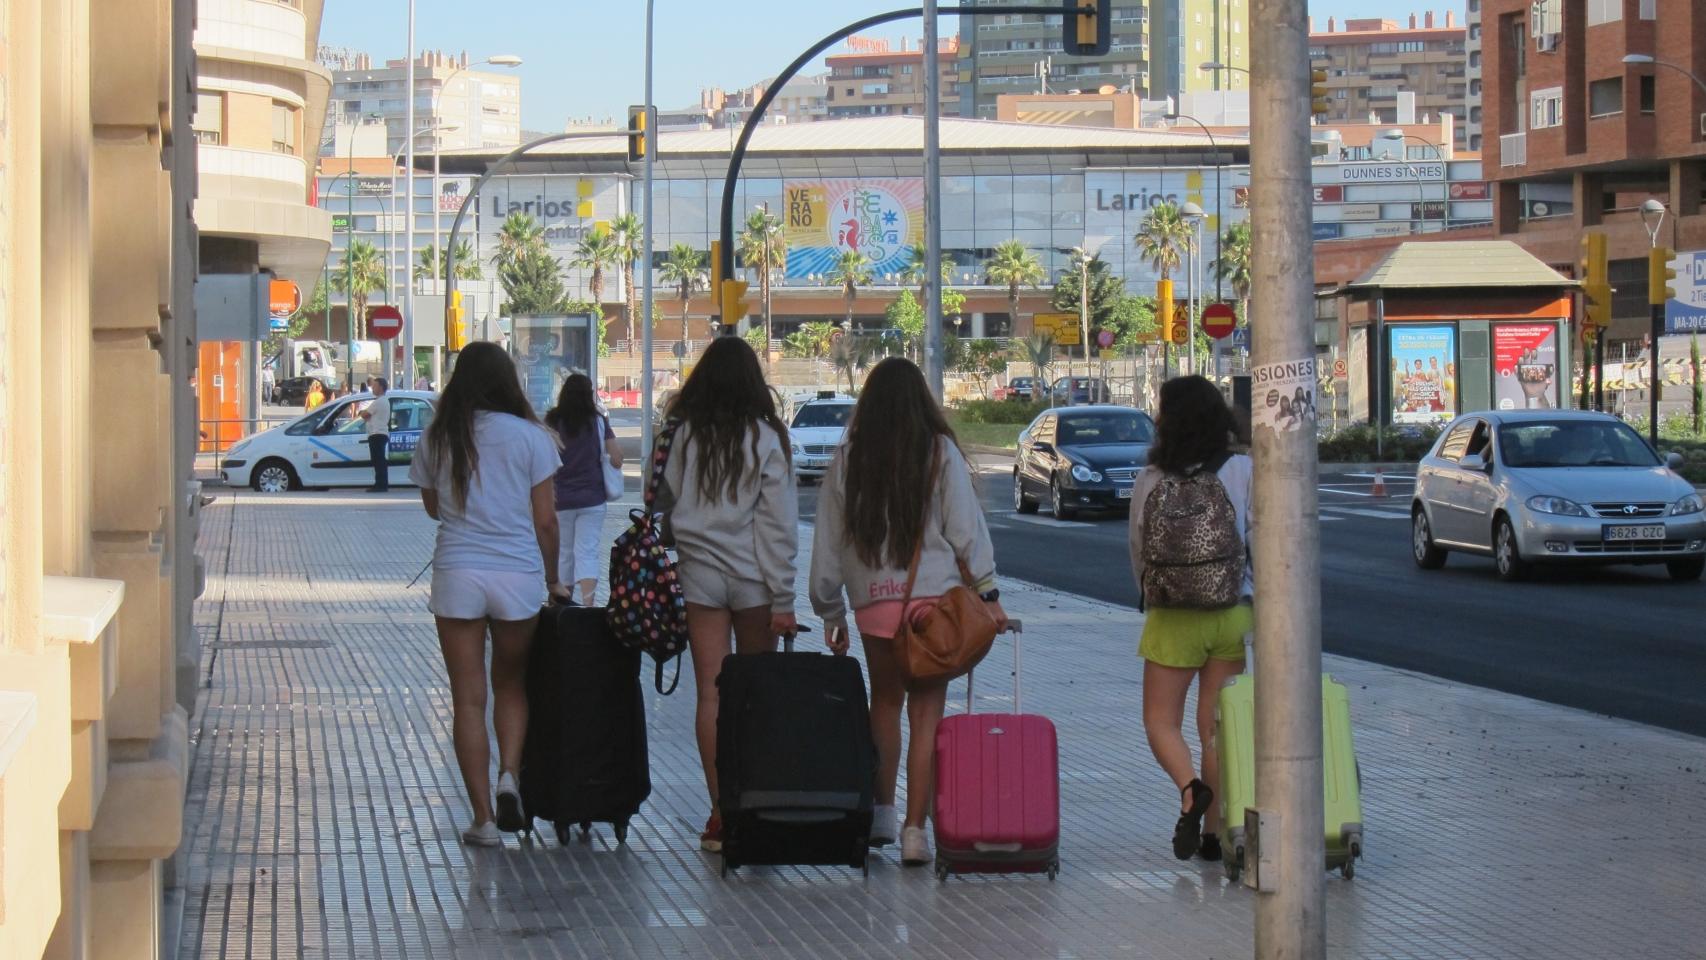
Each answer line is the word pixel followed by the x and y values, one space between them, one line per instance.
pixel 1381 72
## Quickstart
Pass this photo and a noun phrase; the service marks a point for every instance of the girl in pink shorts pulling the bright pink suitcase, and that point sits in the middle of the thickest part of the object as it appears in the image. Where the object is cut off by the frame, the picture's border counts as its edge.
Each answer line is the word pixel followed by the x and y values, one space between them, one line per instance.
pixel 881 512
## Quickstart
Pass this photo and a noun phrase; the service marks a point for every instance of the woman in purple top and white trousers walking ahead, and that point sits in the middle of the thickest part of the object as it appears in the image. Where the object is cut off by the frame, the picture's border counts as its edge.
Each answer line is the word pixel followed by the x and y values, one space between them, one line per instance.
pixel 588 442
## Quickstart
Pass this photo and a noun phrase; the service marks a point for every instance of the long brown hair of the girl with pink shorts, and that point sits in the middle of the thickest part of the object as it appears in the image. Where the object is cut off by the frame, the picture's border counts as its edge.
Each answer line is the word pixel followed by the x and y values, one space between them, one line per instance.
pixel 891 446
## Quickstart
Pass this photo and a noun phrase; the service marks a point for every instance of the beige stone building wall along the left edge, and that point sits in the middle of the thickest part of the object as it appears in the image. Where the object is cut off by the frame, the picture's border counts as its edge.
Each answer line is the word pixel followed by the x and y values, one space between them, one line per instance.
pixel 96 564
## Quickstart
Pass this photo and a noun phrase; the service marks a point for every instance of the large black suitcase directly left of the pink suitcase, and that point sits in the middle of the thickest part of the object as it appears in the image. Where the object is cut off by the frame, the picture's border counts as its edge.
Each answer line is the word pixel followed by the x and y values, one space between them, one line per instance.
pixel 796 763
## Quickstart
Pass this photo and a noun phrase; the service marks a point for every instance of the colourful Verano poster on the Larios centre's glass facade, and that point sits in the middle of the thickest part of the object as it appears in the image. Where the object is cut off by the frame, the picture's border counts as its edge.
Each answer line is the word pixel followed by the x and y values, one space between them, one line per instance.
pixel 883 219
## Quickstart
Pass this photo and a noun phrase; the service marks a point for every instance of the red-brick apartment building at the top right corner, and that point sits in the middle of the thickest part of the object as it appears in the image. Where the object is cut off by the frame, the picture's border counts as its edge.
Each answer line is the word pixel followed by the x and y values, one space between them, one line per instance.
pixel 1586 137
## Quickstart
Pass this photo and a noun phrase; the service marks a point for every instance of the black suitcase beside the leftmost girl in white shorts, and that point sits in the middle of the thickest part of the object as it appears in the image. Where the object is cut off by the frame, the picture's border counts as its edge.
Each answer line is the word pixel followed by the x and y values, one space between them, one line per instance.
pixel 586 755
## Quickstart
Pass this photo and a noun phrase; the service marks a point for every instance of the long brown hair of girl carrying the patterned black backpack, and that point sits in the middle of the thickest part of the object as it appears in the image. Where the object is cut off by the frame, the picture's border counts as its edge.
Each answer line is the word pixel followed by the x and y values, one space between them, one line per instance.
pixel 722 403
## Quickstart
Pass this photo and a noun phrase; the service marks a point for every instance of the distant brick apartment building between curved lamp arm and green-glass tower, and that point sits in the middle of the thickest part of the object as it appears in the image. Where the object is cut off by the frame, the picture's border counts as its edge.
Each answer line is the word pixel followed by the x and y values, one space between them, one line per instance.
pixel 871 79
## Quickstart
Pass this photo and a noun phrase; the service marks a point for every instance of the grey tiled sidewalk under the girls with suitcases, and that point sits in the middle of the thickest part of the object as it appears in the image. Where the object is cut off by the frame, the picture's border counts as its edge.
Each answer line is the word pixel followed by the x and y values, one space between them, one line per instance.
pixel 325 804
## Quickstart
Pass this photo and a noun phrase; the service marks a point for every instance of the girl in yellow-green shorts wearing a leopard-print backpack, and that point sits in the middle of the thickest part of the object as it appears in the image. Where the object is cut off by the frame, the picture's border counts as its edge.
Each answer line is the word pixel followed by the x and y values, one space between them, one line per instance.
pixel 1190 538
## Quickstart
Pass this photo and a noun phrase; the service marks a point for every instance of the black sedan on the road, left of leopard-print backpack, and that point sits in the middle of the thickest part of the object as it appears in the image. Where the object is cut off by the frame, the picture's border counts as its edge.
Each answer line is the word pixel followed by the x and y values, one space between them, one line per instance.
pixel 1081 458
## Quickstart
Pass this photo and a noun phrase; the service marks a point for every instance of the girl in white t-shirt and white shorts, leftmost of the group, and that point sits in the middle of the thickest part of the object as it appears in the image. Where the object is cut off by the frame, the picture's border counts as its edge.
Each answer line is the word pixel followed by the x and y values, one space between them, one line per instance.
pixel 485 470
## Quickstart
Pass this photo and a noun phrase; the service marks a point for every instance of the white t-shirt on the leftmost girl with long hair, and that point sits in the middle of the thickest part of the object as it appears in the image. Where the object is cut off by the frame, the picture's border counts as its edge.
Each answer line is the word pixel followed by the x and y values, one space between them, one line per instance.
pixel 494 529
